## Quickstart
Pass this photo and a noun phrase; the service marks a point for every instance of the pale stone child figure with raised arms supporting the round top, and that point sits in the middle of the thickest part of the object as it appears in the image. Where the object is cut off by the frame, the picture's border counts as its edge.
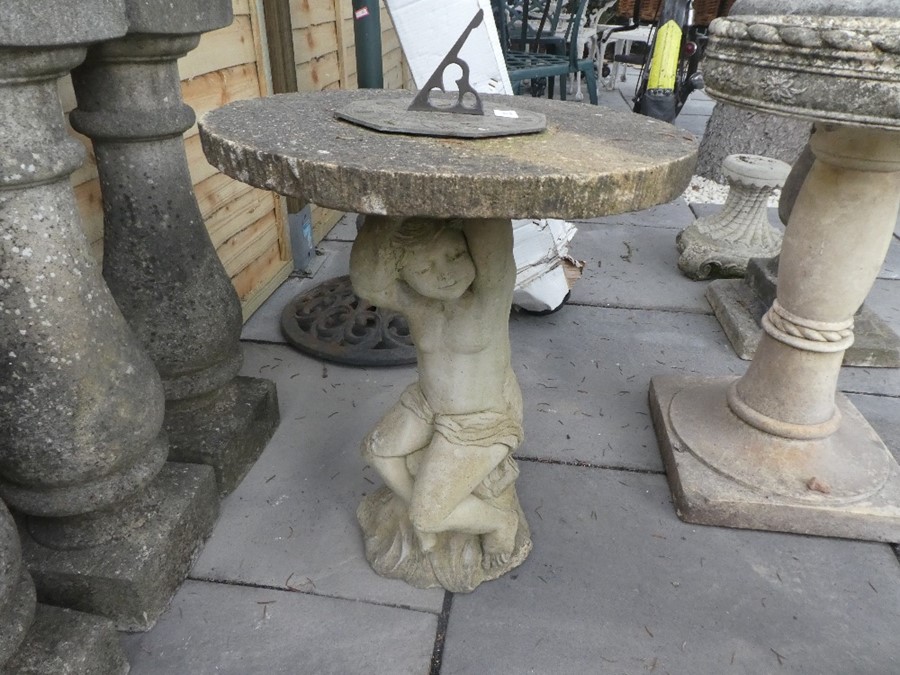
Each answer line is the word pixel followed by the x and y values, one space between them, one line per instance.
pixel 449 515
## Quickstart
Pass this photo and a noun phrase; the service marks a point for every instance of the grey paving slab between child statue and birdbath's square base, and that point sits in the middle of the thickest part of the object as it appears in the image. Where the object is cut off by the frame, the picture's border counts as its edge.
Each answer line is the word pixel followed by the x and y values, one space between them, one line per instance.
pixel 585 373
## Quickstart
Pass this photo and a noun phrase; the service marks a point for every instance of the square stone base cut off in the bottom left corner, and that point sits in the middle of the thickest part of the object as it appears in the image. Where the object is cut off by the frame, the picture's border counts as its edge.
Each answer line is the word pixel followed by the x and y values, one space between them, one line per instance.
pixel 66 641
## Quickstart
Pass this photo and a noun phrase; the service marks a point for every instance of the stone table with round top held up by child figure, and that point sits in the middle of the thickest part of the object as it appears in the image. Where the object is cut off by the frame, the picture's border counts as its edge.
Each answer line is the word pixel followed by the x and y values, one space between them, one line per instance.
pixel 437 246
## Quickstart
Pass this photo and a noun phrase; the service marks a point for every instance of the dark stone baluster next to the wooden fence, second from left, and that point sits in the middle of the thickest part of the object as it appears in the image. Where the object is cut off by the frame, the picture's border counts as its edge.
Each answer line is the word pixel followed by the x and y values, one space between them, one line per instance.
pixel 159 261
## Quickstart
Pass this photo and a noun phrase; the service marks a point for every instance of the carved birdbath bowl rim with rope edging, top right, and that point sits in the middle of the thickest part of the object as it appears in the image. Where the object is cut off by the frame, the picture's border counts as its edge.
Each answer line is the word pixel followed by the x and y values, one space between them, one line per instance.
pixel 843 70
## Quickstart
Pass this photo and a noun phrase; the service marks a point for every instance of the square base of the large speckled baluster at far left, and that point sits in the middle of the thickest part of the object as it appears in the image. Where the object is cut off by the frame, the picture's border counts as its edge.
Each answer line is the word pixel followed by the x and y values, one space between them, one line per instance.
pixel 131 580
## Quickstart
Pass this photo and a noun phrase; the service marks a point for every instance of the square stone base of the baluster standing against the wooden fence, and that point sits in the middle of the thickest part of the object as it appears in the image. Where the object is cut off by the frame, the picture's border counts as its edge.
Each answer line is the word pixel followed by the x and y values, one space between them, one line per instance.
pixel 226 431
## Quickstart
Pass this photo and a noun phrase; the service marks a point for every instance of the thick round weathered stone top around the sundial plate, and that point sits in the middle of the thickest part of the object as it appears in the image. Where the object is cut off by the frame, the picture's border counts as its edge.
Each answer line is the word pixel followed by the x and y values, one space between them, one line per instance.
pixel 589 161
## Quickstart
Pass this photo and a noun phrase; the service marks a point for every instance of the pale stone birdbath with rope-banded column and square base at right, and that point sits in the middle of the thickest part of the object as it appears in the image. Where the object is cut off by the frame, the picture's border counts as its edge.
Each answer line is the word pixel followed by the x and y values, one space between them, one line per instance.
pixel 779 448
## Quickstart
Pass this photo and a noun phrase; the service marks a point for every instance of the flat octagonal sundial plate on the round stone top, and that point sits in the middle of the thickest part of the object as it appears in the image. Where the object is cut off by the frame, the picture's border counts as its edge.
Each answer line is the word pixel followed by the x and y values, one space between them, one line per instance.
pixel 394 116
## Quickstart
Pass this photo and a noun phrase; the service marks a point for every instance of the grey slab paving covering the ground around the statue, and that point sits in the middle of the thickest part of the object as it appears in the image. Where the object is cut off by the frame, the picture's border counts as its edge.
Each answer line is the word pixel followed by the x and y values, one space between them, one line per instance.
pixel 616 582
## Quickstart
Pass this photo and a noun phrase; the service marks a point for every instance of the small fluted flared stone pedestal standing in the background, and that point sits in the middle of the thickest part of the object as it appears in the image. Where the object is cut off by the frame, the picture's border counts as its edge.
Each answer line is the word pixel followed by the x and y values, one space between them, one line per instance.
pixel 721 245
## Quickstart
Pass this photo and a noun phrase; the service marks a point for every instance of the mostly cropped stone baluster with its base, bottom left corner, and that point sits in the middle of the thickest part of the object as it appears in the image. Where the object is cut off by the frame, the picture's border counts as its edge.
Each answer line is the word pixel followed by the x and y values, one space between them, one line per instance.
pixel 39 639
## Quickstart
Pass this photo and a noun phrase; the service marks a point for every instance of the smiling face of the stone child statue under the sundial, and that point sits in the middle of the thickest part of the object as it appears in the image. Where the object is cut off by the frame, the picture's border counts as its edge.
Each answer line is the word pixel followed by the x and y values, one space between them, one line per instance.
pixel 441 269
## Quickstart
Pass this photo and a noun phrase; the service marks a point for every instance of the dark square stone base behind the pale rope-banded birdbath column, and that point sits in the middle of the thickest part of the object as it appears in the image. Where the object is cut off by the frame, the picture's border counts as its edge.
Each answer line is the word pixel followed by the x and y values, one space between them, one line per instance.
pixel 739 311
